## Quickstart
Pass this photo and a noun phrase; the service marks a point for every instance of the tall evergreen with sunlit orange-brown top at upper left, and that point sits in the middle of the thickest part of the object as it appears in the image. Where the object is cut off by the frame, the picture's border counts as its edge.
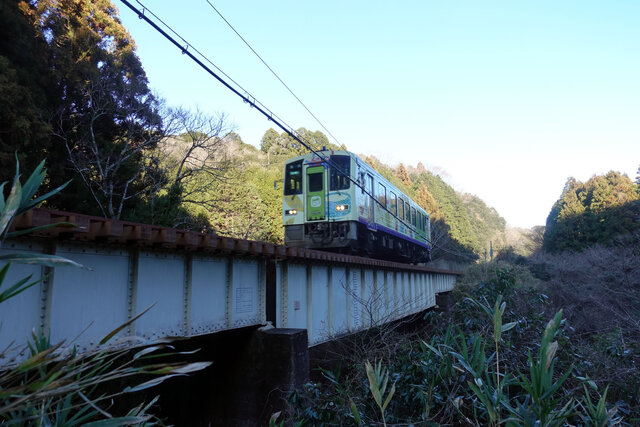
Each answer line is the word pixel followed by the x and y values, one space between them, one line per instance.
pixel 102 113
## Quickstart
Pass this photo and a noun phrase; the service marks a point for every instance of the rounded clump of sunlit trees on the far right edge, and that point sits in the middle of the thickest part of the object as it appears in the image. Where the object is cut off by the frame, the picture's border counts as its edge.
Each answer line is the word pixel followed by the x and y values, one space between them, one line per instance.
pixel 593 212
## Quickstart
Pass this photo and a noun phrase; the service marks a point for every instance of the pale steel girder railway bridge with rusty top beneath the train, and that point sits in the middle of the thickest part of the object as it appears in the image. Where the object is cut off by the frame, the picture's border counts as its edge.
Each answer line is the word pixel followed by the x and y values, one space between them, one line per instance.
pixel 190 284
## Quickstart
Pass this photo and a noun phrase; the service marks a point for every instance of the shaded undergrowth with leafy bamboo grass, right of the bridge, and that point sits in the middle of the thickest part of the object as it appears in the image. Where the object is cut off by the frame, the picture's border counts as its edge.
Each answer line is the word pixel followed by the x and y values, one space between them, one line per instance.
pixel 516 349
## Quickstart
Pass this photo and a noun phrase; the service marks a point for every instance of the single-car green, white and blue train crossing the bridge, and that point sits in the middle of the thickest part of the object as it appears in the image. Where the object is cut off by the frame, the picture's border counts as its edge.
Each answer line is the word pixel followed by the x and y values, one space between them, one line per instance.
pixel 335 201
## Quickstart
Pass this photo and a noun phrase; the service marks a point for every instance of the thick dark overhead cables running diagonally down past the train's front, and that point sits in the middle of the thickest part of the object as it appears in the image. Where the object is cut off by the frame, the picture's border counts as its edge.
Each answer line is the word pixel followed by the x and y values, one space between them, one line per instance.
pixel 187 49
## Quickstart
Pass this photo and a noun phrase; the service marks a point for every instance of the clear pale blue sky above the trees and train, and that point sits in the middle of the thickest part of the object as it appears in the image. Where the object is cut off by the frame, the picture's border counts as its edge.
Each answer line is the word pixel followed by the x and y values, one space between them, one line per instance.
pixel 506 98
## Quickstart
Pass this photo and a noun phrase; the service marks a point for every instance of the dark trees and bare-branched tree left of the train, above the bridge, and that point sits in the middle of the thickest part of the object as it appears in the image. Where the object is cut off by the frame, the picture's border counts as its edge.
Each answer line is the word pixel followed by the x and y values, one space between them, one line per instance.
pixel 73 90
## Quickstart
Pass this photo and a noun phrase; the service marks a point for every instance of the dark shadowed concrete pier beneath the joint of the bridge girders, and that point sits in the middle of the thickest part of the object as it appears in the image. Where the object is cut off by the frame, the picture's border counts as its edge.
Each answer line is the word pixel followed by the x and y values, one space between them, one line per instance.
pixel 253 372
